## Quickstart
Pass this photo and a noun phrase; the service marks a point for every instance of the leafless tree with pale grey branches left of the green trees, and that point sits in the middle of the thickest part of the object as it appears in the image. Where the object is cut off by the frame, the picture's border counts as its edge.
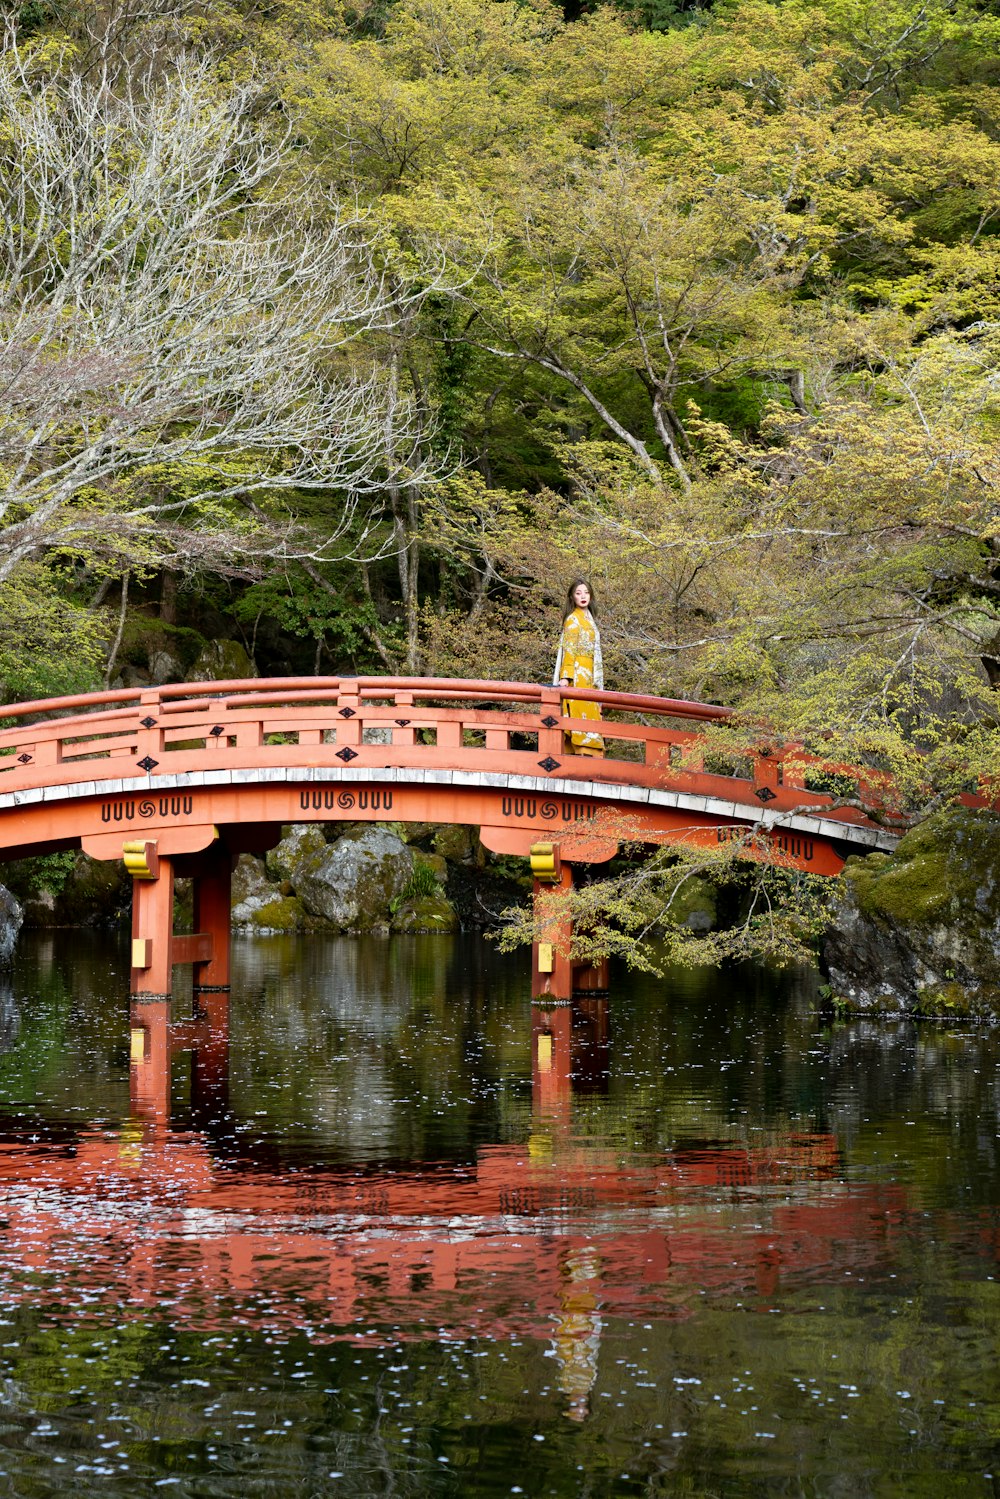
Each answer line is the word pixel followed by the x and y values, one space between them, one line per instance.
pixel 181 344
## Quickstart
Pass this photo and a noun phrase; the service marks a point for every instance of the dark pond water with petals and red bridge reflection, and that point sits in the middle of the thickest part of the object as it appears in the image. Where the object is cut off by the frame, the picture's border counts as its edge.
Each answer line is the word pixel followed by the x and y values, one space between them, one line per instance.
pixel 382 1230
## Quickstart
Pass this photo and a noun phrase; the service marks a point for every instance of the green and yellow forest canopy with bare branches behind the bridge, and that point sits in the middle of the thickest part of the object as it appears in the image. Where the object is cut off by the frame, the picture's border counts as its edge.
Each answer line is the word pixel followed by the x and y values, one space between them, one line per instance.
pixel 353 332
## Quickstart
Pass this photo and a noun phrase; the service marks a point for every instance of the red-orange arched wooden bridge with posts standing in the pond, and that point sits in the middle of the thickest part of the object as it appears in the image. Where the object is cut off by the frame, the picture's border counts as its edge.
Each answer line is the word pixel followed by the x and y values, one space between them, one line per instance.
pixel 182 779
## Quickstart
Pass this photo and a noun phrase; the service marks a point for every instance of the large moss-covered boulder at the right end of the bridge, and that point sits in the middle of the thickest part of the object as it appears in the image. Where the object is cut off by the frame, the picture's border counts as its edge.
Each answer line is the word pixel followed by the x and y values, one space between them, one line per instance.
pixel 918 932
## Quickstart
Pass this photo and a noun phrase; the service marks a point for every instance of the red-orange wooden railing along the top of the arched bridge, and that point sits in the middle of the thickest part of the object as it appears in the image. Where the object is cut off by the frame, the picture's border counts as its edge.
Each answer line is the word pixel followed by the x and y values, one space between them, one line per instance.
pixel 376 723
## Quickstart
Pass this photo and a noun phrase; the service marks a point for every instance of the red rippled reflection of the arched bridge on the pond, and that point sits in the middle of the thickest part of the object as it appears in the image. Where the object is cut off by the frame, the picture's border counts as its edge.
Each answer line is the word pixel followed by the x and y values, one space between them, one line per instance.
pixel 548 1237
